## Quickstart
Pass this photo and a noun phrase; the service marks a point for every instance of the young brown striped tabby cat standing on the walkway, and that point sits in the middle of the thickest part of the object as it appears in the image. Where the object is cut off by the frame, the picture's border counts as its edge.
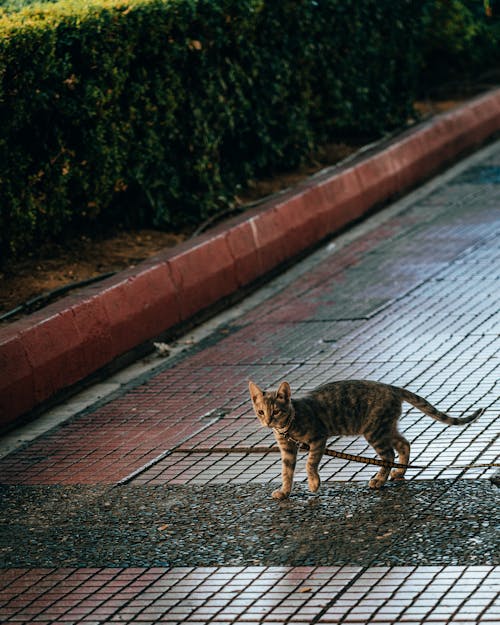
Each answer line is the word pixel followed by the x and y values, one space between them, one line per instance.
pixel 349 407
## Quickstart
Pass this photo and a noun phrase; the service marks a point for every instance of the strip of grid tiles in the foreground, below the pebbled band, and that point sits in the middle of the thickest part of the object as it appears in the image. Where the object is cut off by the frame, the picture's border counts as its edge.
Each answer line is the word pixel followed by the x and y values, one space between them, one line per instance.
pixel 347 594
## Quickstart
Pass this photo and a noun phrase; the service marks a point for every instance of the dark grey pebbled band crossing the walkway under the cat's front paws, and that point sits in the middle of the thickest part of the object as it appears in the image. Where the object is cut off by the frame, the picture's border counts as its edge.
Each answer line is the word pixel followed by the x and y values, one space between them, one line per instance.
pixel 423 522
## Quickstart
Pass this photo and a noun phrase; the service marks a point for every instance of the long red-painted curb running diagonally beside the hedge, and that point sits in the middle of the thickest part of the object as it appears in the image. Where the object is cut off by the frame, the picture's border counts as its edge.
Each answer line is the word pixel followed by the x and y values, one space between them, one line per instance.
pixel 69 340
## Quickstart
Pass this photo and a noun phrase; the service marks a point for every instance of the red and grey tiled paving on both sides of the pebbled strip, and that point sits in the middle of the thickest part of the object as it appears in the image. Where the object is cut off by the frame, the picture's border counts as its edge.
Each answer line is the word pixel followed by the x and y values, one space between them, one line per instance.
pixel 413 302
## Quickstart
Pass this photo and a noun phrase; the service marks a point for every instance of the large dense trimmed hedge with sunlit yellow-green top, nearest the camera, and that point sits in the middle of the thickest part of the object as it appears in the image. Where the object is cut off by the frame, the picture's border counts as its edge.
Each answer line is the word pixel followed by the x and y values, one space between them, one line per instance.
pixel 154 111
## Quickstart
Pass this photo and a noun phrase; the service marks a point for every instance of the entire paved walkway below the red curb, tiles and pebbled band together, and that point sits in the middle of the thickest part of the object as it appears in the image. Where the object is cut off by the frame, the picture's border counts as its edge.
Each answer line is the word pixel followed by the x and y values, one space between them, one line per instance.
pixel 103 521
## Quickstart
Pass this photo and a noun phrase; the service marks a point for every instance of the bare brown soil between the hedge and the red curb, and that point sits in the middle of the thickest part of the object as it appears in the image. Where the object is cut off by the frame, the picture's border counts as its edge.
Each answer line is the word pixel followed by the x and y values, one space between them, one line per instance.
pixel 83 258
